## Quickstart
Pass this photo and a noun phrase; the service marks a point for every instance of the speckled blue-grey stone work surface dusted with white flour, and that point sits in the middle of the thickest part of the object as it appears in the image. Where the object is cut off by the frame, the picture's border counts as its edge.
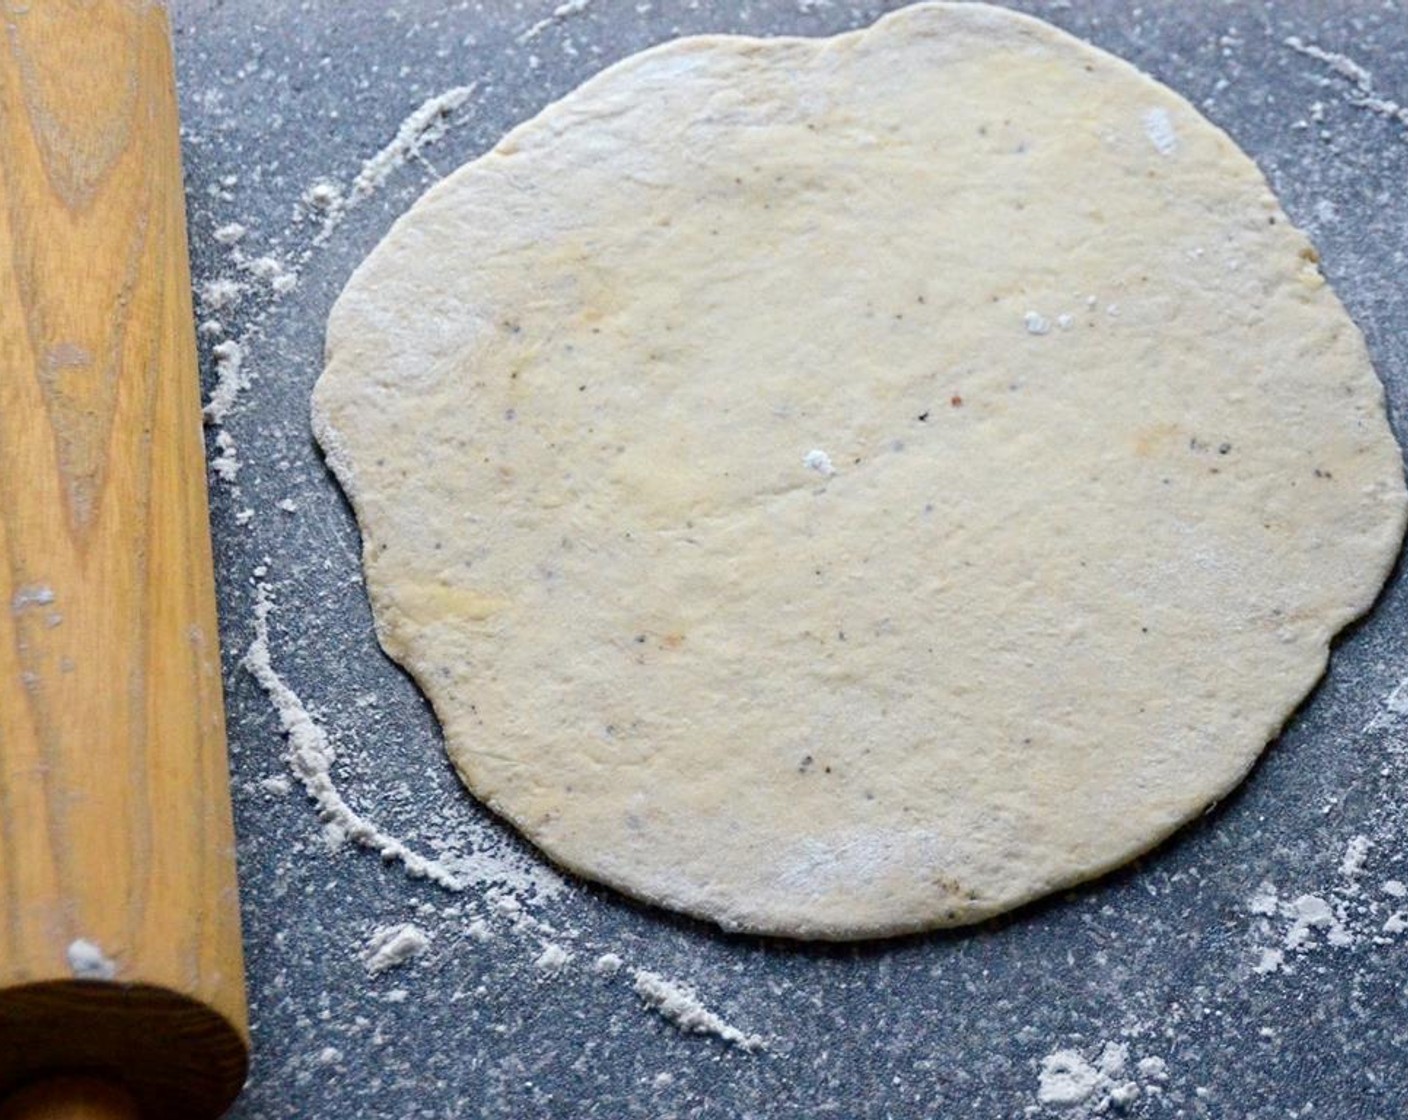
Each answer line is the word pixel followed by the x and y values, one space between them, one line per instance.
pixel 1251 969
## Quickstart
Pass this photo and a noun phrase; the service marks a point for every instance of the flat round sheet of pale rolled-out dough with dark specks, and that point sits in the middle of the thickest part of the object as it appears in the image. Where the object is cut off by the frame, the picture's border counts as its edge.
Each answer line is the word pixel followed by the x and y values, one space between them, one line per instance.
pixel 848 487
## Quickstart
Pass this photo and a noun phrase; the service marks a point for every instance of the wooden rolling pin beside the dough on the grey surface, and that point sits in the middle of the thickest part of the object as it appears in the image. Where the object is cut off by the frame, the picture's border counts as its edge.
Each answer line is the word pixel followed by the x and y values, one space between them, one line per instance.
pixel 122 988
